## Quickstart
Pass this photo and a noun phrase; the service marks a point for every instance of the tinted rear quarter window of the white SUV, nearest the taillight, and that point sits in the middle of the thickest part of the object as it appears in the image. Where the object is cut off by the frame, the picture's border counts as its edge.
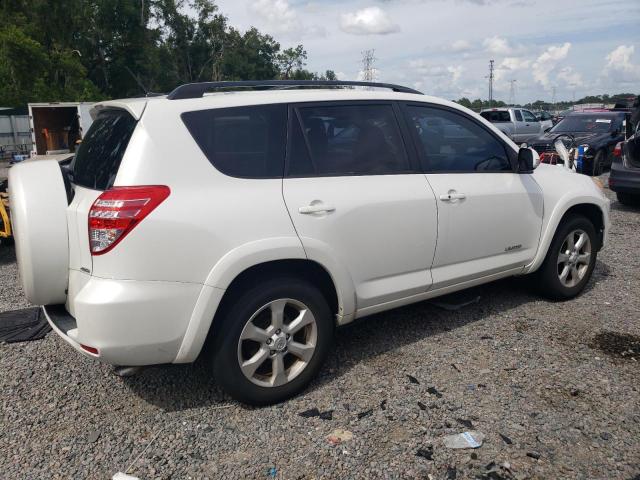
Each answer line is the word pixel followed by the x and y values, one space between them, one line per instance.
pixel 244 142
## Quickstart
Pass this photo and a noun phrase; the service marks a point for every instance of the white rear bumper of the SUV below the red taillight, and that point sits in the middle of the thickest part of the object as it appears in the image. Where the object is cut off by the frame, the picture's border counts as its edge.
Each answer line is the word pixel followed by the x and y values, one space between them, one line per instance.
pixel 128 322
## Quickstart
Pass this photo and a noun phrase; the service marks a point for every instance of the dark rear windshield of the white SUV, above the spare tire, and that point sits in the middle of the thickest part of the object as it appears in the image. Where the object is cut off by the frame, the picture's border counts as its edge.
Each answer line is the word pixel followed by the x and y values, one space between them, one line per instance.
pixel 98 158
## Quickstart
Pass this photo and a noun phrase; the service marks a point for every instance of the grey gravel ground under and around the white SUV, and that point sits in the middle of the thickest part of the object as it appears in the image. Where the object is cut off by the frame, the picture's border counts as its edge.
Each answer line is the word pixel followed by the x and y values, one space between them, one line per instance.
pixel 532 376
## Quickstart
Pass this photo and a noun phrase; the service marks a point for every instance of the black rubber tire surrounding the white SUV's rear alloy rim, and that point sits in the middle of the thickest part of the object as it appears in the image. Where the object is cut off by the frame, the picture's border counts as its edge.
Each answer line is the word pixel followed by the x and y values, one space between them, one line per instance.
pixel 224 354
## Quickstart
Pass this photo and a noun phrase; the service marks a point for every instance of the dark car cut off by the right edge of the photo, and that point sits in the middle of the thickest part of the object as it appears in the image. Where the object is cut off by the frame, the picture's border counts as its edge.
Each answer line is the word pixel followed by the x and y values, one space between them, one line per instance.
pixel 625 170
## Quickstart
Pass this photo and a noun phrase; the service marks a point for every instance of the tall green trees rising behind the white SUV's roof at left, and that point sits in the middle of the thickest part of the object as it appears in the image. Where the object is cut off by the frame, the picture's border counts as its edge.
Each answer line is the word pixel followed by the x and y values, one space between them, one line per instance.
pixel 86 50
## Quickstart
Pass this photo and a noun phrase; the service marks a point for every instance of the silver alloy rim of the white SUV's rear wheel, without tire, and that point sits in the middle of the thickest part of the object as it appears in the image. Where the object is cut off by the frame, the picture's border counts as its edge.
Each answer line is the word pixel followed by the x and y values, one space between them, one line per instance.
pixel 277 343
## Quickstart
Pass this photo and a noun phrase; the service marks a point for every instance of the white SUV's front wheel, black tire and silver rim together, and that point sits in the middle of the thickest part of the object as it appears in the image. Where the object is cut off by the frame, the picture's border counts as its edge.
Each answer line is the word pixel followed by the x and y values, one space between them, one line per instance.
pixel 570 259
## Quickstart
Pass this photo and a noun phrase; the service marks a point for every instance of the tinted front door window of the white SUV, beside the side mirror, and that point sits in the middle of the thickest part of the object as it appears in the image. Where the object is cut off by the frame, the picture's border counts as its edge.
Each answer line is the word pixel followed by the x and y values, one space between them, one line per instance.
pixel 452 142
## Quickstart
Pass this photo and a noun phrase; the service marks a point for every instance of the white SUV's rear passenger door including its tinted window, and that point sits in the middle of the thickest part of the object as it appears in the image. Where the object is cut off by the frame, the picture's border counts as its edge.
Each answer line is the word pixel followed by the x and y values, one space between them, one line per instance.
pixel 357 200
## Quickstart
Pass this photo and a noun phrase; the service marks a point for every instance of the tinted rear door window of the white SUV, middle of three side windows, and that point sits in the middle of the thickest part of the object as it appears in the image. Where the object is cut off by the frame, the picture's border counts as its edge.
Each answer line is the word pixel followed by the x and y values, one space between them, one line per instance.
pixel 347 140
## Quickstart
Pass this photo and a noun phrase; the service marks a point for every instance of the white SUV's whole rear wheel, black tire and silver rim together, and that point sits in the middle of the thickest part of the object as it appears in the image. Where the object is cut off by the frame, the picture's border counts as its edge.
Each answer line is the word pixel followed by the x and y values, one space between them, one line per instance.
pixel 272 341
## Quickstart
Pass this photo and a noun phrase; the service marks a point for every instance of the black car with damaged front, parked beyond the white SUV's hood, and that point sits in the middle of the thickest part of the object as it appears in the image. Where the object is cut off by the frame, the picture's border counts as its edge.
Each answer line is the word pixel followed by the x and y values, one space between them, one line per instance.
pixel 597 132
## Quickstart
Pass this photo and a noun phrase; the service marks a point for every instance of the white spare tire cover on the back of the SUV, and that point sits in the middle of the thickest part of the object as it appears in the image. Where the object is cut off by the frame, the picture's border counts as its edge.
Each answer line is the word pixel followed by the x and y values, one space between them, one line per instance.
pixel 38 202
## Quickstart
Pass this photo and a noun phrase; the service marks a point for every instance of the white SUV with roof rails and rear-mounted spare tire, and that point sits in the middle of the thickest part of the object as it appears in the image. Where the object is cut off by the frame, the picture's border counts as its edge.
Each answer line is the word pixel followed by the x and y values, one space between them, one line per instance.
pixel 254 222
